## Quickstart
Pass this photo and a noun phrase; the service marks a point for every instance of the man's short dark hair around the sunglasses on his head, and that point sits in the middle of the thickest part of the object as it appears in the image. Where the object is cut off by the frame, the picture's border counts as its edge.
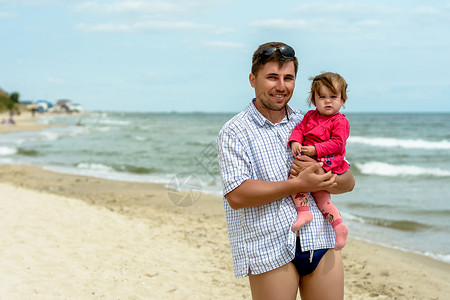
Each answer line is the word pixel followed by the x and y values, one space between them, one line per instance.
pixel 259 60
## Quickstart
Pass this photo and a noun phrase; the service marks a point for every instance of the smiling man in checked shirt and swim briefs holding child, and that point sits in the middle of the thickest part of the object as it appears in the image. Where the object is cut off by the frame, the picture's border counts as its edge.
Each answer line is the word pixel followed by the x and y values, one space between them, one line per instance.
pixel 255 161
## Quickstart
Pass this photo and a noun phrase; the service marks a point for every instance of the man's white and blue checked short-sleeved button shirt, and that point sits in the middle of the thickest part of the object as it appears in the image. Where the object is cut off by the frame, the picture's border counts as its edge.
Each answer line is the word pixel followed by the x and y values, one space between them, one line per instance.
pixel 251 147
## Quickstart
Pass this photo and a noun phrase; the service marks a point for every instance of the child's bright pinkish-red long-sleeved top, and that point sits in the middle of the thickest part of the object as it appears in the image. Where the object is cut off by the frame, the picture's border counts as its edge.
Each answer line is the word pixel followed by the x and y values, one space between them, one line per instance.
pixel 329 136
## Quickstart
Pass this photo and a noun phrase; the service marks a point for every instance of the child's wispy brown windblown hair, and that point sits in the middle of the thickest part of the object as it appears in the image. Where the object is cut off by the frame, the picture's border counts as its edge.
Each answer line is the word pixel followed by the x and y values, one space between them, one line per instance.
pixel 335 82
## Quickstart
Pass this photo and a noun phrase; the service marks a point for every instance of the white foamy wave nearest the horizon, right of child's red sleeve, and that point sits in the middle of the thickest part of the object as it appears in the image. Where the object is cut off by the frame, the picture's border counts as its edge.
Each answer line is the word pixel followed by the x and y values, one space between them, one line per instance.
pixel 401 143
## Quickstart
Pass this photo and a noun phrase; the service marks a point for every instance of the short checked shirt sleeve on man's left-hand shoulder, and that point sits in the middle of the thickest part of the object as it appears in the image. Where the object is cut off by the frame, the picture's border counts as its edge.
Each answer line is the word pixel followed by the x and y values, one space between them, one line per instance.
pixel 234 161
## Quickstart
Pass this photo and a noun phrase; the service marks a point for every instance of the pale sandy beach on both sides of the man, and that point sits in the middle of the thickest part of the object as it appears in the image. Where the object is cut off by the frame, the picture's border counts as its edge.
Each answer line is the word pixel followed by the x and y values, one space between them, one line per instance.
pixel 75 237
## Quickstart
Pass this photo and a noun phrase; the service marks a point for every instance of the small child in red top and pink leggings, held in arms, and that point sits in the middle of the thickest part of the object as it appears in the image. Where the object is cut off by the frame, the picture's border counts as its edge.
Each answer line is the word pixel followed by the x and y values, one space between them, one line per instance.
pixel 322 134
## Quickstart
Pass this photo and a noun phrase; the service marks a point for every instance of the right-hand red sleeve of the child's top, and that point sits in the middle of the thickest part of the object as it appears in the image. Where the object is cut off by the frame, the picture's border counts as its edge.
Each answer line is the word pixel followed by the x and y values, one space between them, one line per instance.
pixel 340 130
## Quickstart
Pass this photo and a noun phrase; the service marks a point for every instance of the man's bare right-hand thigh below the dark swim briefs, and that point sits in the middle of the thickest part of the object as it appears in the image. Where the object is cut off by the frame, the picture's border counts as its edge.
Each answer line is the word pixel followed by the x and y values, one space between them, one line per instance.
pixel 327 280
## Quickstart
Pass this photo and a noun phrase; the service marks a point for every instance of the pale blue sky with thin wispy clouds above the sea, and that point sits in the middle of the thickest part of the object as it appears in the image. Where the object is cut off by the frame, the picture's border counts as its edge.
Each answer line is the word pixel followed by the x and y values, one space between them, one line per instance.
pixel 130 55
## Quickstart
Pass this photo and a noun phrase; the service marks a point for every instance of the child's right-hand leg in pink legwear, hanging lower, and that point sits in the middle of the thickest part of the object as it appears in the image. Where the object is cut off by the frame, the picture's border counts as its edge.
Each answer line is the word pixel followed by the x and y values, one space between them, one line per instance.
pixel 330 212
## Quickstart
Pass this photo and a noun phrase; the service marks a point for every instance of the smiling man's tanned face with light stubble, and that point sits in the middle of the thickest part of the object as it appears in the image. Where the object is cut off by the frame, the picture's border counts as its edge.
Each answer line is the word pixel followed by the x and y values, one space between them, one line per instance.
pixel 273 86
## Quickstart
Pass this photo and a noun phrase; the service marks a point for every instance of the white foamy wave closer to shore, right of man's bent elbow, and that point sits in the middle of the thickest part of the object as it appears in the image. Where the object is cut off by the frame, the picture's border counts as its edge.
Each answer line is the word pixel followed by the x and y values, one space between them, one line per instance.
pixel 384 169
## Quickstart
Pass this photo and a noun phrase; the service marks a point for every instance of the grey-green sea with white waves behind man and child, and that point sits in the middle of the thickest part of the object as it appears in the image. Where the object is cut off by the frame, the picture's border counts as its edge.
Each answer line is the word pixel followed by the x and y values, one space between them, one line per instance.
pixel 401 164
